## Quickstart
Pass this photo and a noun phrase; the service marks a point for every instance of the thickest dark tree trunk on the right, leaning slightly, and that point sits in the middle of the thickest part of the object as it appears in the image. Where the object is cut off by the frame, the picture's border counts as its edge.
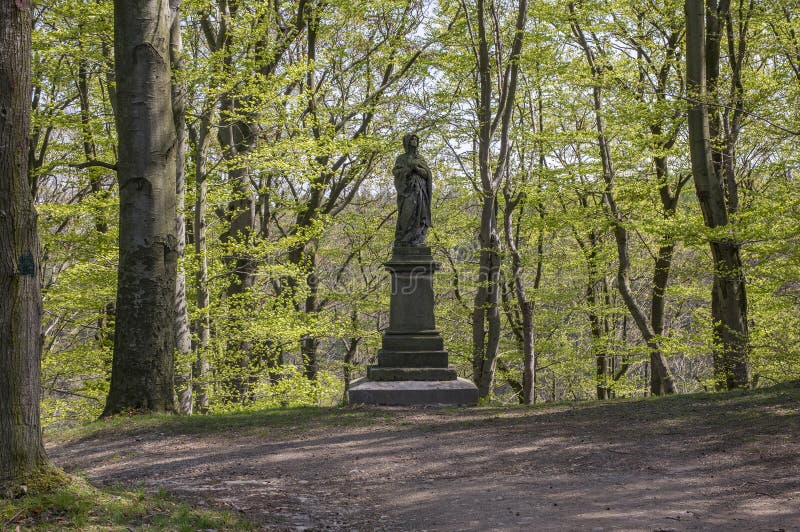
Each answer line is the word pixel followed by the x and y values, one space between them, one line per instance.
pixel 728 296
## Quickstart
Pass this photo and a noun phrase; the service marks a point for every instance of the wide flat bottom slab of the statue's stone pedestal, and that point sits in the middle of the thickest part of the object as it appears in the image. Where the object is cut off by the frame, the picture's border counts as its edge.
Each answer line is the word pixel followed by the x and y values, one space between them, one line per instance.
pixel 407 393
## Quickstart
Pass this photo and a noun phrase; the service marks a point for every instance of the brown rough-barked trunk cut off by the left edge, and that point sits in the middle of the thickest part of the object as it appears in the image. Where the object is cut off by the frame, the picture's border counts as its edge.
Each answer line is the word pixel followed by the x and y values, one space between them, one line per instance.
pixel 21 449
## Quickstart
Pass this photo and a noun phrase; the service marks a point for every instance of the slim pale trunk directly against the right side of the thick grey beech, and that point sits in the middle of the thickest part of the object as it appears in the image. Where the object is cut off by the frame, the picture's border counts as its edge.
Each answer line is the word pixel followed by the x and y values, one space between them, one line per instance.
pixel 183 337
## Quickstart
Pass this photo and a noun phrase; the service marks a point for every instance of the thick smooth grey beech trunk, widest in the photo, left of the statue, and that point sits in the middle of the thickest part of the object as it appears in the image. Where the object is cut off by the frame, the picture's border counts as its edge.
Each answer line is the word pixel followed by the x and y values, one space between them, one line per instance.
pixel 142 376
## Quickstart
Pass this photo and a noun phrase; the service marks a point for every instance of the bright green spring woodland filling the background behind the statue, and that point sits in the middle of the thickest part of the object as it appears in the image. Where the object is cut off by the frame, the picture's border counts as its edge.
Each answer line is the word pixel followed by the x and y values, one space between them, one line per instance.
pixel 289 115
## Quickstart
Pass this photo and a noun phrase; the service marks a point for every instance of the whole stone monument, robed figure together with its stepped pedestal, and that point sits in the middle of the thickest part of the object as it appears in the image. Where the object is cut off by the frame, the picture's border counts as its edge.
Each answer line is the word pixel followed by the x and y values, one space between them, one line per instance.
pixel 412 366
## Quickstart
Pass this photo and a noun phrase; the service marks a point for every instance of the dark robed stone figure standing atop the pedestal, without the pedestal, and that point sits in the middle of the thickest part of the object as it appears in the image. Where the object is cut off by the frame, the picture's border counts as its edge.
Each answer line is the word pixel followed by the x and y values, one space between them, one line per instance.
pixel 412 179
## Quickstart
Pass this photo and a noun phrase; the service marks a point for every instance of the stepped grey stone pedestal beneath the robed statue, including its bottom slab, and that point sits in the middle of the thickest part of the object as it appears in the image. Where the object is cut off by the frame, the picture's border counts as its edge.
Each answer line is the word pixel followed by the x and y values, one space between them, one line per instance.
pixel 412 362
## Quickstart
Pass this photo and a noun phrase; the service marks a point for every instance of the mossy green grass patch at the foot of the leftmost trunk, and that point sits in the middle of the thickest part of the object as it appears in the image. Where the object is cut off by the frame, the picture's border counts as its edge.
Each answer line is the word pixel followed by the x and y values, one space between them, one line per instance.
pixel 57 501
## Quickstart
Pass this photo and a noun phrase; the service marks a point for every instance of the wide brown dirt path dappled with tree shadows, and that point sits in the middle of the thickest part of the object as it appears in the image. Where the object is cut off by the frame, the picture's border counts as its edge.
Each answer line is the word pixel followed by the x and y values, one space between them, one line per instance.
pixel 727 462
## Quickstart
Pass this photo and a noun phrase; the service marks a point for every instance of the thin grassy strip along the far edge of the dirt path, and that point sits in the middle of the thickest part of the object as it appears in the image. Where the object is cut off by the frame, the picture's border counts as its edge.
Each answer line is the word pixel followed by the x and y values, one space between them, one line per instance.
pixel 278 422
